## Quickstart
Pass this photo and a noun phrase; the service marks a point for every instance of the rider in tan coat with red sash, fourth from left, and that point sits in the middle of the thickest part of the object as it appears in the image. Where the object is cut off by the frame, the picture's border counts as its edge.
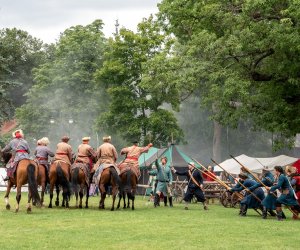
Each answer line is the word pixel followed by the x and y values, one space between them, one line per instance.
pixel 86 153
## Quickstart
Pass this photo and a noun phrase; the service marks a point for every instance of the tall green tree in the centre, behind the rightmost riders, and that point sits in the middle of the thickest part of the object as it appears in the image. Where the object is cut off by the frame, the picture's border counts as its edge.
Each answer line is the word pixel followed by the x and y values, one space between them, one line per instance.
pixel 135 109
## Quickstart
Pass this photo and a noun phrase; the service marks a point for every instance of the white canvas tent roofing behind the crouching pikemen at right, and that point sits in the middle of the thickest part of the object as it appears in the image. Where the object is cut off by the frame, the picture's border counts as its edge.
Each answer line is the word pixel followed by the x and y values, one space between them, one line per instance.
pixel 254 164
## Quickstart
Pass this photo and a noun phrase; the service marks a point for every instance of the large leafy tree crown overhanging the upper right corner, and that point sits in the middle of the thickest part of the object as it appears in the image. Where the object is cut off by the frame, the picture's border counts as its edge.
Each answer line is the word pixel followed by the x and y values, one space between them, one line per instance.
pixel 245 56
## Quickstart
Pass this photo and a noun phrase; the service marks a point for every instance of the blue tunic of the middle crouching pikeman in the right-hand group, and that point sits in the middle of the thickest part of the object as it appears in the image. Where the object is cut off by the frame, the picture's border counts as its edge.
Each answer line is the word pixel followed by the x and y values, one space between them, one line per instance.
pixel 269 202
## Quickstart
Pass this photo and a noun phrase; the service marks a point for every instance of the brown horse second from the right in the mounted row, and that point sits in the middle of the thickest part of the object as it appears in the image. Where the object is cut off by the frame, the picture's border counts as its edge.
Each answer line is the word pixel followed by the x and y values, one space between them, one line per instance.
pixel 109 176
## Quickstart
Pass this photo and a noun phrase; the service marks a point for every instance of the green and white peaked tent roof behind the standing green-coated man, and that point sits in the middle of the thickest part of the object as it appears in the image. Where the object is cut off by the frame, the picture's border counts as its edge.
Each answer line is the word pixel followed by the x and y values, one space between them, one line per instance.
pixel 175 156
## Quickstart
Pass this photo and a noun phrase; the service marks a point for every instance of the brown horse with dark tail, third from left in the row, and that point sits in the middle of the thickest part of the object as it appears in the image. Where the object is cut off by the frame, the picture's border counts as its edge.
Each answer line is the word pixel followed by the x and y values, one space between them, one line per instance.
pixel 59 175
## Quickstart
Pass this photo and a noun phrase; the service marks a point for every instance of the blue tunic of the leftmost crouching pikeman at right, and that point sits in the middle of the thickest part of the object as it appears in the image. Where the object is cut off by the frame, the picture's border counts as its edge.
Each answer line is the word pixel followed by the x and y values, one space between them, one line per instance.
pixel 249 199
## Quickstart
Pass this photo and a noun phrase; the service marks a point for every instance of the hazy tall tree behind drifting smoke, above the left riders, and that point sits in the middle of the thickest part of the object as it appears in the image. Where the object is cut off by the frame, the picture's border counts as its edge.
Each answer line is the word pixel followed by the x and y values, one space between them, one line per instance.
pixel 65 92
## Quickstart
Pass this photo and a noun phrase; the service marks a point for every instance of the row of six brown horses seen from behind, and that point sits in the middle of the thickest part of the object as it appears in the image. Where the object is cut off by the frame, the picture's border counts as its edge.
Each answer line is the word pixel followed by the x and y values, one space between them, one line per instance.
pixel 69 180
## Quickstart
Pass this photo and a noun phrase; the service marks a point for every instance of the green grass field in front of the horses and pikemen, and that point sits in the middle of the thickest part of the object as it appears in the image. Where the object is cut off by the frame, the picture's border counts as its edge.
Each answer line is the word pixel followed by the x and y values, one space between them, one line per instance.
pixel 145 228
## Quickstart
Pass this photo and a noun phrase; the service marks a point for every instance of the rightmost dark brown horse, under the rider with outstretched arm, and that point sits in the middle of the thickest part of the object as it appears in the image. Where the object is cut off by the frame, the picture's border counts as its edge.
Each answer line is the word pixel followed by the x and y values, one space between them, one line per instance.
pixel 129 183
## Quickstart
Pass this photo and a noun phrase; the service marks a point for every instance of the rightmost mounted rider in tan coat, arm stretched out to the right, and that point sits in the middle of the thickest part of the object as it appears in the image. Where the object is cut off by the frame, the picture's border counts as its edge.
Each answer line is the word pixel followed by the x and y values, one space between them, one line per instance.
pixel 132 158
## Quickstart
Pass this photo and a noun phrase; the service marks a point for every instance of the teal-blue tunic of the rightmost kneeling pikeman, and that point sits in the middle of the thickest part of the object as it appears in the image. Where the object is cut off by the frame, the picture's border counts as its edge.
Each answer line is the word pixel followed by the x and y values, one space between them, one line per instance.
pixel 287 196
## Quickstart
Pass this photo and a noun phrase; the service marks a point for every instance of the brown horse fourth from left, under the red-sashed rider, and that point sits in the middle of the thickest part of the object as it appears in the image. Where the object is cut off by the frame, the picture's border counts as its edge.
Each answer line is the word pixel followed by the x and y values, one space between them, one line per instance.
pixel 78 177
